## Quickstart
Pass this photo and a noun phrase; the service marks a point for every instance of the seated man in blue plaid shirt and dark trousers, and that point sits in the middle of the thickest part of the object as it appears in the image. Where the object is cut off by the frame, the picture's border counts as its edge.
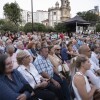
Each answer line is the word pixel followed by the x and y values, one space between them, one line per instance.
pixel 47 70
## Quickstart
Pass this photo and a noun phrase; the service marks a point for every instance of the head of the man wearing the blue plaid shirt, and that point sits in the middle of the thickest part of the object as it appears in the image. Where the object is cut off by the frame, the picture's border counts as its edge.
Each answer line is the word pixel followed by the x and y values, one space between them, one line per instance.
pixel 44 50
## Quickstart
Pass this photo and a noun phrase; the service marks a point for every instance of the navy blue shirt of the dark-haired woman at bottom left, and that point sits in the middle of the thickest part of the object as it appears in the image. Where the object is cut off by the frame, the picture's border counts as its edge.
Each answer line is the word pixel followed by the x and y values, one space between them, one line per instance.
pixel 9 89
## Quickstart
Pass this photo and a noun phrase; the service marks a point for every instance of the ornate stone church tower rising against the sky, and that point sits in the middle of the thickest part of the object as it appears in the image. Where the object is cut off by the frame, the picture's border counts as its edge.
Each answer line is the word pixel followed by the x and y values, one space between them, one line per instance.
pixel 65 10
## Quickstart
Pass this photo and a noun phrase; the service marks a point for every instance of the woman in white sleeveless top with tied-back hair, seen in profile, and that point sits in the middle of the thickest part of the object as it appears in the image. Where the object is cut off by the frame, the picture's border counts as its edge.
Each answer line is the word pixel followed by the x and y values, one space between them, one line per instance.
pixel 83 90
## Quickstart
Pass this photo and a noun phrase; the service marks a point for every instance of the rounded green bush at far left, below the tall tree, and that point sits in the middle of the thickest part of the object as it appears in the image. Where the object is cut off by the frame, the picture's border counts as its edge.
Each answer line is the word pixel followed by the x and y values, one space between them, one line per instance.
pixel 9 26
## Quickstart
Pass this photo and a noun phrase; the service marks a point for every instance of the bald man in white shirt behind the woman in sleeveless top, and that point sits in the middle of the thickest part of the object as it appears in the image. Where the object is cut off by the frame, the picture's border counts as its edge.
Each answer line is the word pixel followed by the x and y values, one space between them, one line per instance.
pixel 94 72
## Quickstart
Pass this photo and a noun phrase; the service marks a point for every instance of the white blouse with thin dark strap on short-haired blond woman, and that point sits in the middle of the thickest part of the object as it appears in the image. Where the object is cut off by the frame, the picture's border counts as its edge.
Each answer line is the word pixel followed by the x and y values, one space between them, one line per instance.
pixel 30 74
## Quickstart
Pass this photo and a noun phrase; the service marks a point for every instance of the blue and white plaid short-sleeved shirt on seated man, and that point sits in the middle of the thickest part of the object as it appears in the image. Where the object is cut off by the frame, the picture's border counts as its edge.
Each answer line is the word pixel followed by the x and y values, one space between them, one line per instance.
pixel 43 65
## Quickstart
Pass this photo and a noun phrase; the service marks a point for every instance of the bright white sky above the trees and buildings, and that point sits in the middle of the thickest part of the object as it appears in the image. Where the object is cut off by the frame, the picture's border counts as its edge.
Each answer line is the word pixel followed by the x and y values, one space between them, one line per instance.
pixel 76 5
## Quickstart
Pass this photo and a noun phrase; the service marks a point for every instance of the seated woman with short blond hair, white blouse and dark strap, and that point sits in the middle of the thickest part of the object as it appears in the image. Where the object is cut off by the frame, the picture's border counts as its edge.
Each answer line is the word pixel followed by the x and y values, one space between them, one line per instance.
pixel 37 82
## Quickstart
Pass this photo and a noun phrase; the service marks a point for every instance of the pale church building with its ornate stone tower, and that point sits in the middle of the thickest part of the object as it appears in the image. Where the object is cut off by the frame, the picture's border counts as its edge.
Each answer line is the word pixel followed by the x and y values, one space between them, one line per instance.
pixel 58 13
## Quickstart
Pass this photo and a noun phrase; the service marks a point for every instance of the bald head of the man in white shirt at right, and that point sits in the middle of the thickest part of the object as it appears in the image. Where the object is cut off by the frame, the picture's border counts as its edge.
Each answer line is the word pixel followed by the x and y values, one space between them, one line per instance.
pixel 85 50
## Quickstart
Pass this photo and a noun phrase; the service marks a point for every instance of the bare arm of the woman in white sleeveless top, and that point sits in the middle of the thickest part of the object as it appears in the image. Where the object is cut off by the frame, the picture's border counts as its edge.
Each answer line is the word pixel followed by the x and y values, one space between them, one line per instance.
pixel 80 84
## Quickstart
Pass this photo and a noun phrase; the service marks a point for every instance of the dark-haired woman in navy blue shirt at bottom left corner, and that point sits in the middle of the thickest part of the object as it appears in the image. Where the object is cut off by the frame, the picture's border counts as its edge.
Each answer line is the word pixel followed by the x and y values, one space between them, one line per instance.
pixel 11 81
